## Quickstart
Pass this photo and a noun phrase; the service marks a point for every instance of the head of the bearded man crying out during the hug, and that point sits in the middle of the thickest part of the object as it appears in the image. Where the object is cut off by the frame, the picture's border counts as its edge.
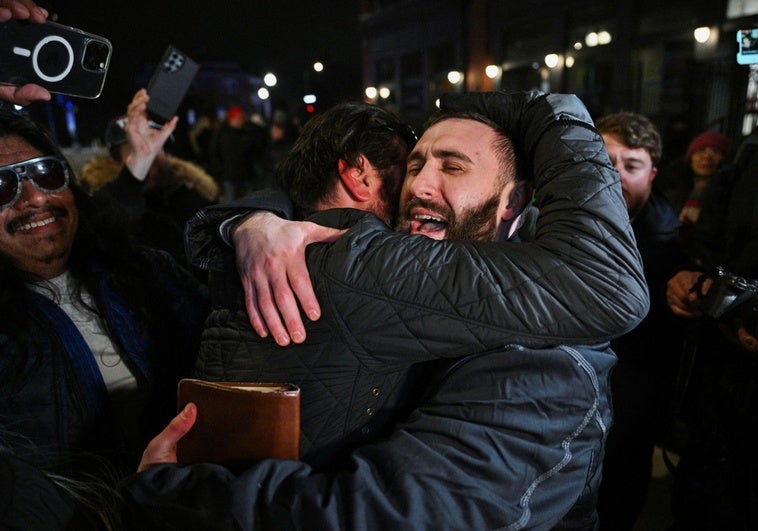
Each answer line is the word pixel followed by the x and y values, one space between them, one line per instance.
pixel 444 195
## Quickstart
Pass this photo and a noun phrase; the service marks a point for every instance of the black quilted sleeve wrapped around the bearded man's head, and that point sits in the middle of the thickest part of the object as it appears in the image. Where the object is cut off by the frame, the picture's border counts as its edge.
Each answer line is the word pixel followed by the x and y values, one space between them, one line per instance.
pixel 579 281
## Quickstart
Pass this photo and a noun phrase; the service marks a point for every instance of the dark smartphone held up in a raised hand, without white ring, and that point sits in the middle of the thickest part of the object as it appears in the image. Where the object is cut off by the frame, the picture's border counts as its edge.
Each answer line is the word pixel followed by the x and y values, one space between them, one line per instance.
pixel 169 84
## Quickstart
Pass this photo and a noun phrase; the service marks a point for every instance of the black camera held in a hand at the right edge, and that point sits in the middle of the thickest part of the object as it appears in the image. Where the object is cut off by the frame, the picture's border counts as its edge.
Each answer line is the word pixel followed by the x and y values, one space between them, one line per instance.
pixel 732 296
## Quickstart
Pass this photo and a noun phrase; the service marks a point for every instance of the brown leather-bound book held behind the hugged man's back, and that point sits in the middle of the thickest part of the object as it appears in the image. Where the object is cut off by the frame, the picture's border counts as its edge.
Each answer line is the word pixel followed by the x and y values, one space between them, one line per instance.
pixel 240 421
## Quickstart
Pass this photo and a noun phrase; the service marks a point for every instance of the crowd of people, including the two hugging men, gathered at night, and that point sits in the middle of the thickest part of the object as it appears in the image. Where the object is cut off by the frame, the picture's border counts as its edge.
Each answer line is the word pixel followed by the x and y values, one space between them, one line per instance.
pixel 492 324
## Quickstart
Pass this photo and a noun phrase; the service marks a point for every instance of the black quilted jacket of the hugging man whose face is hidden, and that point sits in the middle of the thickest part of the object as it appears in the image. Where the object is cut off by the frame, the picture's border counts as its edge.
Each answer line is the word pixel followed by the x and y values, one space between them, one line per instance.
pixel 391 300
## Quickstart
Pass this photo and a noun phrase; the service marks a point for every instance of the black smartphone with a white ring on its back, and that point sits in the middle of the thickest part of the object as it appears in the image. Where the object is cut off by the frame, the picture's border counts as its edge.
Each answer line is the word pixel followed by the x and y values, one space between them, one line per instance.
pixel 62 59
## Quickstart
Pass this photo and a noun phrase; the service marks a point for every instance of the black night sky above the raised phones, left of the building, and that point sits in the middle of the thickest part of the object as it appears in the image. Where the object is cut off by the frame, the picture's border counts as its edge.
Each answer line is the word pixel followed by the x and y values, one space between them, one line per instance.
pixel 283 36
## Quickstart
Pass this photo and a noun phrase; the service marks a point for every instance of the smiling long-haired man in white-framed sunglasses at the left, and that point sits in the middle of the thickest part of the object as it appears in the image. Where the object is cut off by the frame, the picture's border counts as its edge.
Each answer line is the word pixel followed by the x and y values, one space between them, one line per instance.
pixel 83 369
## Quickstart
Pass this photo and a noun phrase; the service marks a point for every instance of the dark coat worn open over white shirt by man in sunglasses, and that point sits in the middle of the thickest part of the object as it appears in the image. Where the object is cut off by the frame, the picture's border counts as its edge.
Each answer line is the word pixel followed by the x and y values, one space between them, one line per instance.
pixel 53 400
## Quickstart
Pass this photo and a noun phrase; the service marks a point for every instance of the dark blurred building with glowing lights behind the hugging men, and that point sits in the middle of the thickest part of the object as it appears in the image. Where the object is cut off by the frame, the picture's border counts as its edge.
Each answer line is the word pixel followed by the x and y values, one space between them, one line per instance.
pixel 639 56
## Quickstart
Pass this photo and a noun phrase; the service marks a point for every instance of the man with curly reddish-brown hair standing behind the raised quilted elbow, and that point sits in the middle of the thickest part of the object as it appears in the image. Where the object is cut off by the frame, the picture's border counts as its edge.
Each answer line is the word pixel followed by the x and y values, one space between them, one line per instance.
pixel 643 380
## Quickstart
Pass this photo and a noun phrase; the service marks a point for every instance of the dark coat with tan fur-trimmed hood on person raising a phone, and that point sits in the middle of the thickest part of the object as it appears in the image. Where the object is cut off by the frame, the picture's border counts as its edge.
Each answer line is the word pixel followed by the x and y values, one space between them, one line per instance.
pixel 156 210
